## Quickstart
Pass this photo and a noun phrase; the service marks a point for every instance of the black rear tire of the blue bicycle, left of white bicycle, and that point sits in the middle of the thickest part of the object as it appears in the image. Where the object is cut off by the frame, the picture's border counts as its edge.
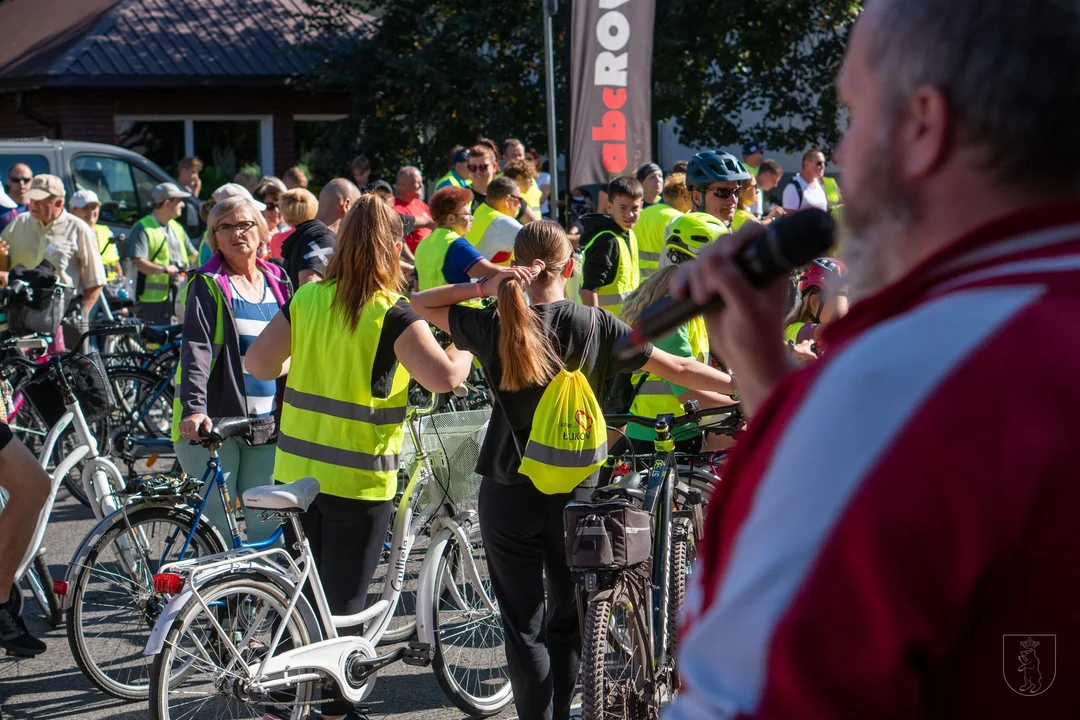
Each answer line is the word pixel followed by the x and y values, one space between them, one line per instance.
pixel 105 678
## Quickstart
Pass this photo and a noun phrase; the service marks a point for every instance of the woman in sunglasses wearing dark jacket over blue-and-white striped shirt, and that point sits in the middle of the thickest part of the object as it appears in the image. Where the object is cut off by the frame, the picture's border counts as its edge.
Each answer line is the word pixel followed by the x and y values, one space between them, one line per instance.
pixel 228 302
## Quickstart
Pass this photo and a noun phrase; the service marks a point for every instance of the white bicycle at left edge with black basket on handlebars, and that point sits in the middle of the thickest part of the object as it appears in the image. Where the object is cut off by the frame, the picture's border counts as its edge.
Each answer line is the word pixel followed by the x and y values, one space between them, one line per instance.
pixel 65 377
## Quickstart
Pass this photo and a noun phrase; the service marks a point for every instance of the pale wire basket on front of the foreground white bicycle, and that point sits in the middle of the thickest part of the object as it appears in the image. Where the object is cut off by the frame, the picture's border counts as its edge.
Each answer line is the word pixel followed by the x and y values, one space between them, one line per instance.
pixel 453 441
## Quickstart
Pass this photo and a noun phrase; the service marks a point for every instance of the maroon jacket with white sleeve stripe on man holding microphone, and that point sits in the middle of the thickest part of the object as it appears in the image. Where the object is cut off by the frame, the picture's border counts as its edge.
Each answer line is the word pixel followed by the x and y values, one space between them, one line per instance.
pixel 902 513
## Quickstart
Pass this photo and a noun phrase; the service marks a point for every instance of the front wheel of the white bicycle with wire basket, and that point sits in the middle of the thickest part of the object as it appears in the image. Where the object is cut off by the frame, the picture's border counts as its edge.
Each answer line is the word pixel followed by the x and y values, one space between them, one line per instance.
pixel 453 587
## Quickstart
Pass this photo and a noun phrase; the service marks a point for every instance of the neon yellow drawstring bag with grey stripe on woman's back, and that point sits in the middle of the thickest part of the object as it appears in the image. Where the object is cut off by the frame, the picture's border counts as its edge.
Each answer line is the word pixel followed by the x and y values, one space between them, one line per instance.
pixel 569 440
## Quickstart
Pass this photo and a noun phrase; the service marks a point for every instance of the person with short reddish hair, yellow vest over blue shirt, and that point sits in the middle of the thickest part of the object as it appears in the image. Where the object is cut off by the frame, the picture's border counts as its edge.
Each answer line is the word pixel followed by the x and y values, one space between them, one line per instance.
pixel 445 257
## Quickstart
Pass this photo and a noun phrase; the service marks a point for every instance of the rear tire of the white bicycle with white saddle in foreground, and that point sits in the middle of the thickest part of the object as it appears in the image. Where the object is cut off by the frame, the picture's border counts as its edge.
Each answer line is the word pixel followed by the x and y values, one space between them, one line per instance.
pixel 163 681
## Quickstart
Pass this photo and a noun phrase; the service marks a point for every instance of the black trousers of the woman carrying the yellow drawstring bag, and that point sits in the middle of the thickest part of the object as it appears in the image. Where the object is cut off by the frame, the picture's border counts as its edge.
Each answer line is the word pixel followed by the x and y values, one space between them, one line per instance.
pixel 523 537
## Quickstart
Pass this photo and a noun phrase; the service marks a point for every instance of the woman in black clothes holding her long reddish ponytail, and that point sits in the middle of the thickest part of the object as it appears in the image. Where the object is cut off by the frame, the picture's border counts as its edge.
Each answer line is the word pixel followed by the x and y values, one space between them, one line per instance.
pixel 534 333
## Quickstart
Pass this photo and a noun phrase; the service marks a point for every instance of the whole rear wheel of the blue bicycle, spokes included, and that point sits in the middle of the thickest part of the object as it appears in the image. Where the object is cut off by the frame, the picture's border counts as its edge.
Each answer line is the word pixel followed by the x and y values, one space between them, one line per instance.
pixel 114 604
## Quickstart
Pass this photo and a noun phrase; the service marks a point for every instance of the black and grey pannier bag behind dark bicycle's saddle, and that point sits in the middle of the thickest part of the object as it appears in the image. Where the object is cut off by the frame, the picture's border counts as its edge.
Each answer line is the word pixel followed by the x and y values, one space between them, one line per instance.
pixel 610 536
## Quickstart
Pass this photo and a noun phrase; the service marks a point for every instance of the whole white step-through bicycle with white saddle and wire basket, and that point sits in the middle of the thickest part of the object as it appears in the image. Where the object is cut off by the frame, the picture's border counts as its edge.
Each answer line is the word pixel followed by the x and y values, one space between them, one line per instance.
pixel 248 663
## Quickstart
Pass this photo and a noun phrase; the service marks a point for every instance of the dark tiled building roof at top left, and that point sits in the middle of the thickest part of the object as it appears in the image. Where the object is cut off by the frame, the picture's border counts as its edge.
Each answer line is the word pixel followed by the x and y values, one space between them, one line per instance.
pixel 96 44
